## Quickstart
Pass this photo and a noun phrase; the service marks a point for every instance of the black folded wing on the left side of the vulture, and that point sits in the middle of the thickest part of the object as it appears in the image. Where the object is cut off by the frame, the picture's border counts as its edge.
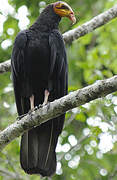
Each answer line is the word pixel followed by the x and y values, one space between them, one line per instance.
pixel 17 69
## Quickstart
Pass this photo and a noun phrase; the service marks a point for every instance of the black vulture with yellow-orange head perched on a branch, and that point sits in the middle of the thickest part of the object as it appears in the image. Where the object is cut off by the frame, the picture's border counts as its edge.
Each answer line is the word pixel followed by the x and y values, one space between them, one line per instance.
pixel 39 73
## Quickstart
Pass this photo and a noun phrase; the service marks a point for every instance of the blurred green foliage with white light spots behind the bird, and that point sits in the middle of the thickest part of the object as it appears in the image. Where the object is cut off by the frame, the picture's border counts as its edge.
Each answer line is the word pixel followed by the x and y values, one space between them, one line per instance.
pixel 87 147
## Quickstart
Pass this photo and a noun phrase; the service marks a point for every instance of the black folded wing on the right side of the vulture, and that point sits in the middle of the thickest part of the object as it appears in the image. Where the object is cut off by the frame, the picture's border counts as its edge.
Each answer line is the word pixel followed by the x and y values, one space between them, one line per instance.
pixel 58 63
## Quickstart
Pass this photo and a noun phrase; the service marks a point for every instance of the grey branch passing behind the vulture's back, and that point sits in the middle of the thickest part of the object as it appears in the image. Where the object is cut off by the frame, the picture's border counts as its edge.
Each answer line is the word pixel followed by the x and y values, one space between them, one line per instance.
pixel 76 33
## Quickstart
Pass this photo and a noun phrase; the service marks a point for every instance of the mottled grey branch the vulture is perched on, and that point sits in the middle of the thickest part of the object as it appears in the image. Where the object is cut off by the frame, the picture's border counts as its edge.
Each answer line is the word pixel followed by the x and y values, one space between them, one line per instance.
pixel 99 89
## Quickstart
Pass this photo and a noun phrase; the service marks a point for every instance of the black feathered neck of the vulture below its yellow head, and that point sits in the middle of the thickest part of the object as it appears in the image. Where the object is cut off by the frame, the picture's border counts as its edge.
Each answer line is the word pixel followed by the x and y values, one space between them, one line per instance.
pixel 47 21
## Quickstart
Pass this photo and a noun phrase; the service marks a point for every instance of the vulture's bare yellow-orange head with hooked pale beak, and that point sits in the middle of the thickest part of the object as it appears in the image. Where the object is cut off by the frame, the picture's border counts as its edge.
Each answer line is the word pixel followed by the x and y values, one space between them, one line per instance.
pixel 64 10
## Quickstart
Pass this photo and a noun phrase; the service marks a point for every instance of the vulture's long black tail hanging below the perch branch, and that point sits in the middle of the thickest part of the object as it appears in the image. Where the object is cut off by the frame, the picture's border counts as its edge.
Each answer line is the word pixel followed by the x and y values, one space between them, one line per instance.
pixel 37 152
